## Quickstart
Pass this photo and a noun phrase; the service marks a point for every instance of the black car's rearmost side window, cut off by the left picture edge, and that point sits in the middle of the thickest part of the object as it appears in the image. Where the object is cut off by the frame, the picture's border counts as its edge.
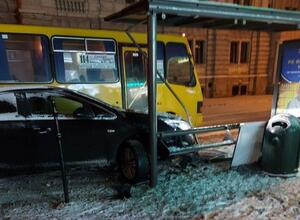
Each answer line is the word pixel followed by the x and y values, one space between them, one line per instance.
pixel 8 106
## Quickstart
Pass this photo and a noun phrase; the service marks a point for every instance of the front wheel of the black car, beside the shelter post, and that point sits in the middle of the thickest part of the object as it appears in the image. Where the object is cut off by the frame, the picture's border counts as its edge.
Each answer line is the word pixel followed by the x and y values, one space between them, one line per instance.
pixel 133 161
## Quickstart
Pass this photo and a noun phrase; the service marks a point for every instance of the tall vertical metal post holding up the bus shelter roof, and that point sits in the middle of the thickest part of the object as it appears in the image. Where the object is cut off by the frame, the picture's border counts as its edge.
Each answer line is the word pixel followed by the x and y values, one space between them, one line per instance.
pixel 151 79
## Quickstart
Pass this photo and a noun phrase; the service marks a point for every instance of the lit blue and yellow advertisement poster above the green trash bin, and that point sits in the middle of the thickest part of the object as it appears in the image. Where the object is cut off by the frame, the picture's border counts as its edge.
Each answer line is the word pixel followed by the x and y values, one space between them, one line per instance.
pixel 289 87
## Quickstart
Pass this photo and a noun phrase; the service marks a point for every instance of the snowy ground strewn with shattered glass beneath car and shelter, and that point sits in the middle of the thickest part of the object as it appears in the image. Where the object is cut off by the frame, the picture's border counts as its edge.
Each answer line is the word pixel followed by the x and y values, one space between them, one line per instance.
pixel 184 190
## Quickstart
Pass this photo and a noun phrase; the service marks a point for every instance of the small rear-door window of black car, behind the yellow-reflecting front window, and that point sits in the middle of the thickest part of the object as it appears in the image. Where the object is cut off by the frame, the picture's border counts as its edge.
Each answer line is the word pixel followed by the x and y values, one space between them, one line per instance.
pixel 39 105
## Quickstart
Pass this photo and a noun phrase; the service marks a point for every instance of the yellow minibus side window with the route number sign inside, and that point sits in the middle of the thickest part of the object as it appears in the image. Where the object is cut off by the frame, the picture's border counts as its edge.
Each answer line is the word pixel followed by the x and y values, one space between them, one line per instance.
pixel 83 60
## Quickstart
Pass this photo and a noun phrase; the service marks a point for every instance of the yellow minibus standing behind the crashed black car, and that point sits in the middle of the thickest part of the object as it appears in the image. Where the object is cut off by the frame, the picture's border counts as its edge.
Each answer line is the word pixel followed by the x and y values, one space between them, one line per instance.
pixel 102 63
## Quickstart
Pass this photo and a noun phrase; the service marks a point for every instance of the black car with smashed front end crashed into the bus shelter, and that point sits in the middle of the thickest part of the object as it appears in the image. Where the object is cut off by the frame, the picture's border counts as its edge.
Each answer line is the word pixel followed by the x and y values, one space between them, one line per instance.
pixel 90 129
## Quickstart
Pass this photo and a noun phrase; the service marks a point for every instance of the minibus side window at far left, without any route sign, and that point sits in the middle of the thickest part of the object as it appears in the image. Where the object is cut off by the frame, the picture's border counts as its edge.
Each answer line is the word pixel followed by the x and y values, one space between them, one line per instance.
pixel 24 58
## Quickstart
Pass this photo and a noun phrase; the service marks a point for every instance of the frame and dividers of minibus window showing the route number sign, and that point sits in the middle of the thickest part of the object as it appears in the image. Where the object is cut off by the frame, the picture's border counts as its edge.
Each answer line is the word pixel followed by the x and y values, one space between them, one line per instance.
pixel 118 78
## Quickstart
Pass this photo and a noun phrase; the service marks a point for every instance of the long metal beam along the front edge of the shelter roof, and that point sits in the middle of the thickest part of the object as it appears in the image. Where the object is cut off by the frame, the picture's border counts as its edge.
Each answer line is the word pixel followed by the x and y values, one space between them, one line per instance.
pixel 217 10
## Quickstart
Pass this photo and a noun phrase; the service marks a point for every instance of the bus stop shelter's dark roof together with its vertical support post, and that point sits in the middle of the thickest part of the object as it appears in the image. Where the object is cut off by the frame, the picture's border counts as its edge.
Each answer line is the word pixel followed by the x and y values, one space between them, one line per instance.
pixel 201 14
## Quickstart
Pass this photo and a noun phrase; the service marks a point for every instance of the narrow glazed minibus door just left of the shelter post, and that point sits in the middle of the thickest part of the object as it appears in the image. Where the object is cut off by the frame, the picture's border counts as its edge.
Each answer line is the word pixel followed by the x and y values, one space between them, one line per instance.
pixel 135 68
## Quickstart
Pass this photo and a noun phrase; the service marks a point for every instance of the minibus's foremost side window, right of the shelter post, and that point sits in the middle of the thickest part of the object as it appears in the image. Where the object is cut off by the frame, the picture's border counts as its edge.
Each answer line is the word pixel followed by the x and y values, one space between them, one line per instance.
pixel 178 64
